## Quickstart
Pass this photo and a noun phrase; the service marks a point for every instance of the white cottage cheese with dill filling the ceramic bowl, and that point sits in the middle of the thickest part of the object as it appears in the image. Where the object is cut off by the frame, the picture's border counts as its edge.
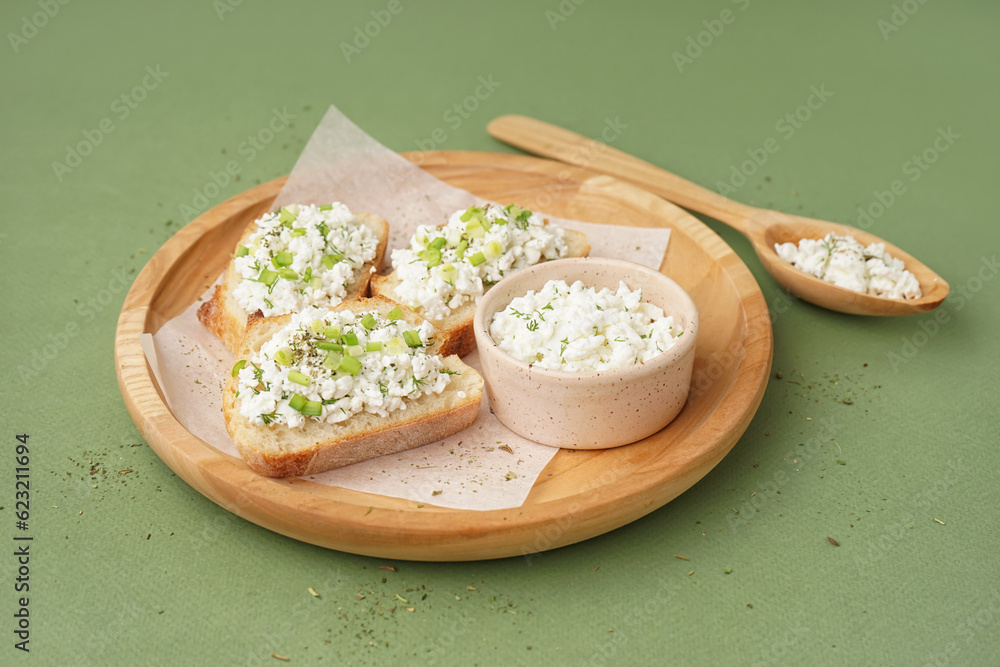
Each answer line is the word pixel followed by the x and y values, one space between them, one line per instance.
pixel 577 328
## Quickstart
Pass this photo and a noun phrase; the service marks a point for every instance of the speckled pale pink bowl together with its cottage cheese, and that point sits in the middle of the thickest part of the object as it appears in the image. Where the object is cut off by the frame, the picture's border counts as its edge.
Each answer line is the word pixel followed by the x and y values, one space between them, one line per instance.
pixel 586 353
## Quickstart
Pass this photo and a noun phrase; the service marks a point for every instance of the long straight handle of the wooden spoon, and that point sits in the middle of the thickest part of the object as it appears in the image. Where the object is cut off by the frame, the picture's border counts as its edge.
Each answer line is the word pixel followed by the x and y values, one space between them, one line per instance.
pixel 541 138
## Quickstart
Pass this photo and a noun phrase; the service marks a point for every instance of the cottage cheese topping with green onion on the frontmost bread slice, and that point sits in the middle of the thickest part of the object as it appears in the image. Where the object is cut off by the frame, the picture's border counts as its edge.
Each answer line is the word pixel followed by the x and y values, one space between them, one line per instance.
pixel 330 365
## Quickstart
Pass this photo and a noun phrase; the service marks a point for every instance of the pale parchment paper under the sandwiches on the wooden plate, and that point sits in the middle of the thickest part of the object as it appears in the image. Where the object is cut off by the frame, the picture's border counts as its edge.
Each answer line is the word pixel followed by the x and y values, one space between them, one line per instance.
pixel 484 467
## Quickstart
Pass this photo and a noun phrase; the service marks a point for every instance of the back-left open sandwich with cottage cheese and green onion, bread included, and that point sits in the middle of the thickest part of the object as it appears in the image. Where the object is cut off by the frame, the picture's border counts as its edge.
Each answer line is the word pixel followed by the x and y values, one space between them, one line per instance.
pixel 299 256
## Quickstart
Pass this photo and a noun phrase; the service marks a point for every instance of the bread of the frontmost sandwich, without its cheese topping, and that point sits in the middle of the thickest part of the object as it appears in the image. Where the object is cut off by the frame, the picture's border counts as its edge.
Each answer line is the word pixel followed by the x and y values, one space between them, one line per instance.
pixel 276 450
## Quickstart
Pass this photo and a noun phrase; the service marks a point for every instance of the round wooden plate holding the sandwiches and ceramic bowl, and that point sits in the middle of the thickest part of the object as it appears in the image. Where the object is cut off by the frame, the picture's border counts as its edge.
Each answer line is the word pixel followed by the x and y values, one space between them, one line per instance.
pixel 580 494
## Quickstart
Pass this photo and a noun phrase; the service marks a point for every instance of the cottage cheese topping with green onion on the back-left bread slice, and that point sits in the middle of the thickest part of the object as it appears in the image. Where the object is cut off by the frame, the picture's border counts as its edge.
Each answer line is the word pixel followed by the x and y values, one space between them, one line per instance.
pixel 300 256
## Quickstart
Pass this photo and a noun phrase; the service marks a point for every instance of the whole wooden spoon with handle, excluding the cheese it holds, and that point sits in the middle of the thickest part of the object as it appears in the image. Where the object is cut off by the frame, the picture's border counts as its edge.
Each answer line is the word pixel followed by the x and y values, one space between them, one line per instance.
pixel 763 227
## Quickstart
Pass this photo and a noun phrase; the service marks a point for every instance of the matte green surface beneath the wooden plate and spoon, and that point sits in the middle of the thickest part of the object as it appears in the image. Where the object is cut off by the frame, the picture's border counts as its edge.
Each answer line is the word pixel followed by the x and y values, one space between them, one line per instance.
pixel 132 568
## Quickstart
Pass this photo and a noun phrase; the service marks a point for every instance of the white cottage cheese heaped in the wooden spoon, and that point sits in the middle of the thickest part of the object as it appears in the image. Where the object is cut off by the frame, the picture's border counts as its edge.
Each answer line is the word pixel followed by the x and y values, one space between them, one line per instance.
pixel 843 261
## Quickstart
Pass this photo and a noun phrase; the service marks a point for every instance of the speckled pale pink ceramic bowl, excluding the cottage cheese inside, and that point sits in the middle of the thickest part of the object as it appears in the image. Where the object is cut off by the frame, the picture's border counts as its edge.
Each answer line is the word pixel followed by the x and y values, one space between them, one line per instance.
pixel 588 410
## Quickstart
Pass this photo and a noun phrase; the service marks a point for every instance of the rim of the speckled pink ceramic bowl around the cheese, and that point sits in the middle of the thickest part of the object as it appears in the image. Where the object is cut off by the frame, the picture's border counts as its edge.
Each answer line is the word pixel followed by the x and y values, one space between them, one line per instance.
pixel 663 360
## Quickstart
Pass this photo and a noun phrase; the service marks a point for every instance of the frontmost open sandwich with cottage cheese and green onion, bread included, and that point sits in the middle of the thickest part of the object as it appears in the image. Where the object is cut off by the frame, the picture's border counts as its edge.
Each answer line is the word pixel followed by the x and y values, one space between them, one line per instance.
pixel 325 388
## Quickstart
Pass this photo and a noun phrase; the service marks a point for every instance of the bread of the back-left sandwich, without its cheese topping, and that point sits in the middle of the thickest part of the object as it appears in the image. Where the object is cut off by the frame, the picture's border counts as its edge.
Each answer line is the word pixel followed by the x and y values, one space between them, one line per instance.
pixel 225 318
